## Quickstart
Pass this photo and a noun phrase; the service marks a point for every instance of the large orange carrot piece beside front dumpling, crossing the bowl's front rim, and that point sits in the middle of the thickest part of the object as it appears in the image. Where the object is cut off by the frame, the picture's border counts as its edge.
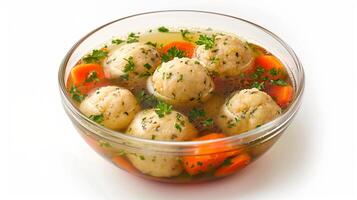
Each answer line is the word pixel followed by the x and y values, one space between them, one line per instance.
pixel 204 163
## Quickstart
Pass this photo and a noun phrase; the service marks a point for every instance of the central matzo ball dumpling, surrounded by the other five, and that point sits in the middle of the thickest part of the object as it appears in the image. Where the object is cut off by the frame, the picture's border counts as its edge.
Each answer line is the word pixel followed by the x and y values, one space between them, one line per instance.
pixel 181 81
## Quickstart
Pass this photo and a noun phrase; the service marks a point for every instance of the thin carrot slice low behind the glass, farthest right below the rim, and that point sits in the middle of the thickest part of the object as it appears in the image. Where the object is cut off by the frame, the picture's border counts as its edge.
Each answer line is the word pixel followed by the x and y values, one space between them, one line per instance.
pixel 234 165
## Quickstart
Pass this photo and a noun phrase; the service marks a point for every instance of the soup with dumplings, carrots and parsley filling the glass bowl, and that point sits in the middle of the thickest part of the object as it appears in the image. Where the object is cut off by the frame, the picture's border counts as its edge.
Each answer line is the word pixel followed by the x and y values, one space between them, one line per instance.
pixel 181 85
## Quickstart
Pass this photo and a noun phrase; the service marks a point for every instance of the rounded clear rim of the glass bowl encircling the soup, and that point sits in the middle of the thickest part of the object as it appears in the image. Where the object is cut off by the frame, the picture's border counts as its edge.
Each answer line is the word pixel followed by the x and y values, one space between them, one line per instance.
pixel 112 135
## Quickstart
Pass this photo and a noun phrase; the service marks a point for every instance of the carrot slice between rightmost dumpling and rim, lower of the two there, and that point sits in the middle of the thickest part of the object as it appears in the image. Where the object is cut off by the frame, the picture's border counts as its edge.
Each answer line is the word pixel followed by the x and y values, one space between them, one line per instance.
pixel 281 94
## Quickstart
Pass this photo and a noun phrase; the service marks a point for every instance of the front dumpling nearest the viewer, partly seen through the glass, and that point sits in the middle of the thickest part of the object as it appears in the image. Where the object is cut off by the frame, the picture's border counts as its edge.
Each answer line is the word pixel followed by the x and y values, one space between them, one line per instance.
pixel 170 127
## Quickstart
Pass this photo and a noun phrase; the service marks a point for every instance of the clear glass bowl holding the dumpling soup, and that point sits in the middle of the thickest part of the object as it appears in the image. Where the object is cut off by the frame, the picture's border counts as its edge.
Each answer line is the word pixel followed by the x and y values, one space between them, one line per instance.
pixel 116 146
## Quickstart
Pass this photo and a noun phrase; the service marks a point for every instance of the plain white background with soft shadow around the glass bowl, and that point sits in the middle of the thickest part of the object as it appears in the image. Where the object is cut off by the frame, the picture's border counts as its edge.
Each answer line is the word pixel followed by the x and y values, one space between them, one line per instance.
pixel 42 156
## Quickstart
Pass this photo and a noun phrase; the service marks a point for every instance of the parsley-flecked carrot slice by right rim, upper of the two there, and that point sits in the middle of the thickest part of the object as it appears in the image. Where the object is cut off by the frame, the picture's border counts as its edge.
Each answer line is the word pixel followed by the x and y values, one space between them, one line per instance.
pixel 274 69
